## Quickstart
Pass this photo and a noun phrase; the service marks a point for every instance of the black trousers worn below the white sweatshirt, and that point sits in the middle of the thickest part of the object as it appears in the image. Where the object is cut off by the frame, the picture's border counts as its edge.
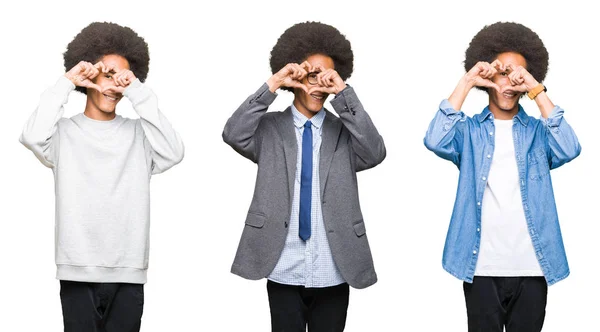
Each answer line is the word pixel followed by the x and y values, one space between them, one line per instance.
pixel 101 307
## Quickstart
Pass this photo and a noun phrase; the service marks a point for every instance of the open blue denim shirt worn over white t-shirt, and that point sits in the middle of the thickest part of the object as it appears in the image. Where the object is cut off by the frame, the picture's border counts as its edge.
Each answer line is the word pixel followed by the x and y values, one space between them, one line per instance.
pixel 540 145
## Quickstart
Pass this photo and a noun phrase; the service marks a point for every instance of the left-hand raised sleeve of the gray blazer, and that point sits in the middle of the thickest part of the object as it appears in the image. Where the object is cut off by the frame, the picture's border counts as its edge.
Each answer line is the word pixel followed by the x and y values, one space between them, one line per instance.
pixel 240 131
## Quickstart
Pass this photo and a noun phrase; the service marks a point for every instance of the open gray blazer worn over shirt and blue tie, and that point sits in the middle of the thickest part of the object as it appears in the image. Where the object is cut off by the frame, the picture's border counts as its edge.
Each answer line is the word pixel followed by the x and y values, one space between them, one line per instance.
pixel 350 144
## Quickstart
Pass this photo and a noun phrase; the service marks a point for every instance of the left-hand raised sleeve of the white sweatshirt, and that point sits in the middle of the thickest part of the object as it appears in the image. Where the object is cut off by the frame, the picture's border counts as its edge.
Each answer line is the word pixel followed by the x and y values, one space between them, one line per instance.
pixel 40 132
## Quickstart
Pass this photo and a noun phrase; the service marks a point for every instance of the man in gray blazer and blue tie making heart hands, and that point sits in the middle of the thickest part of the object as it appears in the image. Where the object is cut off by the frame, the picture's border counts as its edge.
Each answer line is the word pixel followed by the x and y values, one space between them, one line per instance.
pixel 304 230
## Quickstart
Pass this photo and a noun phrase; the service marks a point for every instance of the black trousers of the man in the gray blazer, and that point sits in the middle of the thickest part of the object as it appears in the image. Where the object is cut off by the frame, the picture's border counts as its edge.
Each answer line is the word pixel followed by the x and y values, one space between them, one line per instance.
pixel 295 307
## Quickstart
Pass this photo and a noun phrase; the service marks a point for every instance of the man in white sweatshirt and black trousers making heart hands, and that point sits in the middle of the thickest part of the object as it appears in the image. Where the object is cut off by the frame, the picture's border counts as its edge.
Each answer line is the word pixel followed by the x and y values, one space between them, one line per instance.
pixel 102 165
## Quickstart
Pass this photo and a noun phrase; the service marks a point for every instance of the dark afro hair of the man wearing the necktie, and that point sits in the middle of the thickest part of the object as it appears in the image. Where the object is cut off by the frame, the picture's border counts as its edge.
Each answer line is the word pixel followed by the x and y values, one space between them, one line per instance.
pixel 305 39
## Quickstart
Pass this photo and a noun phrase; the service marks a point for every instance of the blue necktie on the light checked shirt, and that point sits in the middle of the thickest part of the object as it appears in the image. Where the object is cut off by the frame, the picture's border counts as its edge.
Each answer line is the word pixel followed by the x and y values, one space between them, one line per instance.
pixel 306 182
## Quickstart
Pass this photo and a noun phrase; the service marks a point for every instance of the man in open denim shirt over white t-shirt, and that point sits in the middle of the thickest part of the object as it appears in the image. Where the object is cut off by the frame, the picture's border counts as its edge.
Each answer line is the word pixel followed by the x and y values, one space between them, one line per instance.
pixel 504 239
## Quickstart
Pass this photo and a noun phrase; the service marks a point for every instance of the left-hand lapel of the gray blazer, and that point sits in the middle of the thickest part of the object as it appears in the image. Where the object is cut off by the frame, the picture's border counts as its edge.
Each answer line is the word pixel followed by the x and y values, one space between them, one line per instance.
pixel 286 128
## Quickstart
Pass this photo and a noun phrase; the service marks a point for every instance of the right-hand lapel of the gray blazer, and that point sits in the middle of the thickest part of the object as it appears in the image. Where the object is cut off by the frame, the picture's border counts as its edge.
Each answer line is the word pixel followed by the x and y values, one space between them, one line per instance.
pixel 330 135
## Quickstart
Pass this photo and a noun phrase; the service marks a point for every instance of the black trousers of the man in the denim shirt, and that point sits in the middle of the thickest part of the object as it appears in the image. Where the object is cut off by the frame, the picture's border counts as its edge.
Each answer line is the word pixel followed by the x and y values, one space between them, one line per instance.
pixel 519 303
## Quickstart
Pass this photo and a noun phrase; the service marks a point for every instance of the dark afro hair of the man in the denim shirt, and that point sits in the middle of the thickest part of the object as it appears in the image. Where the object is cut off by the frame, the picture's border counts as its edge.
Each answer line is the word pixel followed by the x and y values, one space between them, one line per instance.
pixel 502 37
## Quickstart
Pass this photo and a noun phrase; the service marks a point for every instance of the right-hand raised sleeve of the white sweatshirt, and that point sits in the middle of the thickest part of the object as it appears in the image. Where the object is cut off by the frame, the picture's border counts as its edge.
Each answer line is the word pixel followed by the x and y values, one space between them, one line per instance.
pixel 166 147
